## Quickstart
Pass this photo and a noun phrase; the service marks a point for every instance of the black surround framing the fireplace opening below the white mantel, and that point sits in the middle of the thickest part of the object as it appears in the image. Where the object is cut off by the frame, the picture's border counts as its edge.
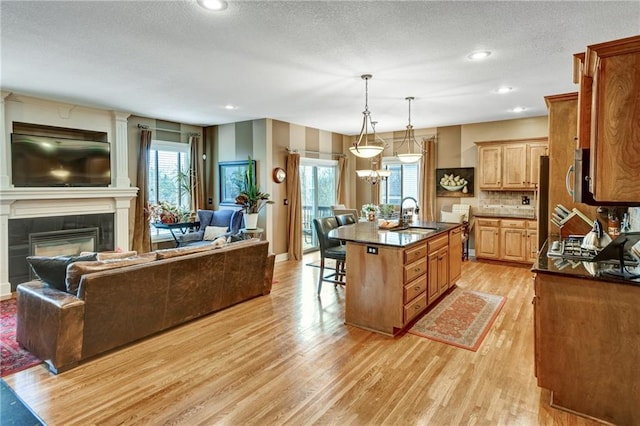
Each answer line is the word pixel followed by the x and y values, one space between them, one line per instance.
pixel 19 230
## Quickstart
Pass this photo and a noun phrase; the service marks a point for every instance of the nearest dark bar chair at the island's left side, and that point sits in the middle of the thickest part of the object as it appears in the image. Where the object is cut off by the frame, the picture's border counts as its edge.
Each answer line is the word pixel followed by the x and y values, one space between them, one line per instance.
pixel 330 249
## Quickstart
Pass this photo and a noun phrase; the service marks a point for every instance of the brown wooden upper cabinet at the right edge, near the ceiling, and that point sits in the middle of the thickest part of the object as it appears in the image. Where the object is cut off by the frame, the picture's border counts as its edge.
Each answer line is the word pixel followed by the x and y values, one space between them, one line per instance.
pixel 608 75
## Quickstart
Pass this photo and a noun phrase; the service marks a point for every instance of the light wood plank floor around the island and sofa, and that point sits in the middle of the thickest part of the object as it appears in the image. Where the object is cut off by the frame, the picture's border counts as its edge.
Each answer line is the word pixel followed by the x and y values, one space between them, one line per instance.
pixel 287 358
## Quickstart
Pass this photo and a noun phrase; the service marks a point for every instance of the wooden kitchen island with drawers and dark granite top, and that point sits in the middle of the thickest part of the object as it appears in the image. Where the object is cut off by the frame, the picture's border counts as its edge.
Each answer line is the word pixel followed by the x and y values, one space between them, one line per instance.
pixel 394 275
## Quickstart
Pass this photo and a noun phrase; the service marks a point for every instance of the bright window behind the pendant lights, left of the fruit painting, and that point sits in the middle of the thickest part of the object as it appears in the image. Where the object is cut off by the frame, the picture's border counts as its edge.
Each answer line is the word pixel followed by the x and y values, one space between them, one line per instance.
pixel 403 182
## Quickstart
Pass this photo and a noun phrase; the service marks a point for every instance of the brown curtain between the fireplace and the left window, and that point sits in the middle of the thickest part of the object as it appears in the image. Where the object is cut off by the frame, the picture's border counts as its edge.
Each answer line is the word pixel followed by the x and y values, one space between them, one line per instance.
pixel 141 231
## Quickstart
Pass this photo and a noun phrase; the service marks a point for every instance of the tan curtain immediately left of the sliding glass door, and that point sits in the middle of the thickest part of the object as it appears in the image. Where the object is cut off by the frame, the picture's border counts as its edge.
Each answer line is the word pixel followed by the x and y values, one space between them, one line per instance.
pixel 294 213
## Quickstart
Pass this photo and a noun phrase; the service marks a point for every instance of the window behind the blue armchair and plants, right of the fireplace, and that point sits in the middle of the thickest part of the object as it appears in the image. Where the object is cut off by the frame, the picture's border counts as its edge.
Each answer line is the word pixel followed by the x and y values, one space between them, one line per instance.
pixel 168 165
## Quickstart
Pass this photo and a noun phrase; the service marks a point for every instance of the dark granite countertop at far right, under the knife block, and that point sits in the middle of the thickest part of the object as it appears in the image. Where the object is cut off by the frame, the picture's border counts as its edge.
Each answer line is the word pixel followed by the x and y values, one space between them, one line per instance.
pixel 580 269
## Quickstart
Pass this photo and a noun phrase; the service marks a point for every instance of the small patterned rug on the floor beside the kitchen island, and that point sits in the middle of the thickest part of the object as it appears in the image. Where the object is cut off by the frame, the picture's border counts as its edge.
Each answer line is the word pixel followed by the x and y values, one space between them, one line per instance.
pixel 463 318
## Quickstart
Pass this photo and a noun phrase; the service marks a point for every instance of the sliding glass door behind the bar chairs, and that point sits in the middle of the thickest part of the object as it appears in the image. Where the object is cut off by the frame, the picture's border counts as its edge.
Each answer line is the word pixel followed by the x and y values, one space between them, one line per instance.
pixel 318 181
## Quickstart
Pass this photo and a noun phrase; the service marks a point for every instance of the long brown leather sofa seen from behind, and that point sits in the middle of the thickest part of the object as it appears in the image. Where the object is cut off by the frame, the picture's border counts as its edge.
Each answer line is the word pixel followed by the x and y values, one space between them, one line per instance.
pixel 119 306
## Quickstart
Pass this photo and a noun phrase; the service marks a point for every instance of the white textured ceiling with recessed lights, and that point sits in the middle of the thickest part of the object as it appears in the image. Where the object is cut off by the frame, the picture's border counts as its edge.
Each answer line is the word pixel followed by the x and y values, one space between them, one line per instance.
pixel 301 61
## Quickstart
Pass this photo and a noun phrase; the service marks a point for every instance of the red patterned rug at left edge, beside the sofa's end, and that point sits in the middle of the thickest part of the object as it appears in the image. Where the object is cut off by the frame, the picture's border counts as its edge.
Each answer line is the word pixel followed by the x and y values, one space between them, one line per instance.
pixel 14 358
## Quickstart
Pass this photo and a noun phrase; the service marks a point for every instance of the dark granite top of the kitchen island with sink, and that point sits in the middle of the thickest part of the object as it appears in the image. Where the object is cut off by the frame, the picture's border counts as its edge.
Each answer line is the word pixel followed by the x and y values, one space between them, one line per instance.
pixel 369 233
